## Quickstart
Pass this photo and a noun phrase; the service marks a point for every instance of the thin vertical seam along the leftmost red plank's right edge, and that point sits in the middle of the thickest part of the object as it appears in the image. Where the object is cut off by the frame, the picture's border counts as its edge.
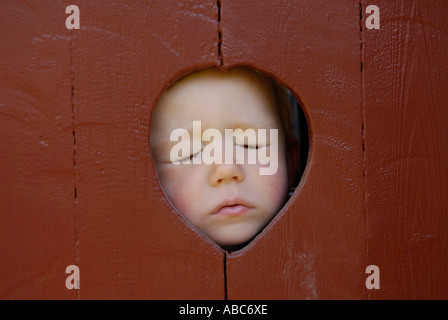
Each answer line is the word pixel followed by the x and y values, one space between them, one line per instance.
pixel 75 184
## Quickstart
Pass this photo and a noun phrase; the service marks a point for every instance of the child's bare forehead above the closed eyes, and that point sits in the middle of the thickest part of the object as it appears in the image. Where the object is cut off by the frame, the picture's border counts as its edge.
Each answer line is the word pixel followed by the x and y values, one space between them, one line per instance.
pixel 238 97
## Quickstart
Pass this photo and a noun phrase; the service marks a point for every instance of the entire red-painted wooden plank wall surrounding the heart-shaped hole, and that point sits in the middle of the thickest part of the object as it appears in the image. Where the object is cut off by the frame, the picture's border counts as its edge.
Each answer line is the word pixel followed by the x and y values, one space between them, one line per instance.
pixel 78 187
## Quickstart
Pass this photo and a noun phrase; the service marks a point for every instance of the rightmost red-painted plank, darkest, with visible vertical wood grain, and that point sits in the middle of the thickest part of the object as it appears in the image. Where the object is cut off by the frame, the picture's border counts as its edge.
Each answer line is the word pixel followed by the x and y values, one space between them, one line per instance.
pixel 406 121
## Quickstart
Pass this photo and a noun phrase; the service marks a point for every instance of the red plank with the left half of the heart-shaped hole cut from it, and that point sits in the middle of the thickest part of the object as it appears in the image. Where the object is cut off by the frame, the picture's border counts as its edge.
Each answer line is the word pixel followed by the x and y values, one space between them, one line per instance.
pixel 132 244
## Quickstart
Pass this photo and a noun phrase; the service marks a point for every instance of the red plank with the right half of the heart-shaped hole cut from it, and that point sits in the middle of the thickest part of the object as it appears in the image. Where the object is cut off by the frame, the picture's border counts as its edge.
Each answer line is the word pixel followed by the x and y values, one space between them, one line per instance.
pixel 315 248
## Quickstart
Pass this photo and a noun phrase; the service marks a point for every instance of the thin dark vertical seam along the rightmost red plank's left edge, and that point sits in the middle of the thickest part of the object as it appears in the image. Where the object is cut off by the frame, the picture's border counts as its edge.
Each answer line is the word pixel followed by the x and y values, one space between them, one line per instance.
pixel 363 115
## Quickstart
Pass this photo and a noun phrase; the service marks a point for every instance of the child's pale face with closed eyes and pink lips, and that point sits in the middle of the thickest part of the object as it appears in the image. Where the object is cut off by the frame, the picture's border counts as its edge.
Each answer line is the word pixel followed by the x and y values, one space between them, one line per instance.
pixel 248 200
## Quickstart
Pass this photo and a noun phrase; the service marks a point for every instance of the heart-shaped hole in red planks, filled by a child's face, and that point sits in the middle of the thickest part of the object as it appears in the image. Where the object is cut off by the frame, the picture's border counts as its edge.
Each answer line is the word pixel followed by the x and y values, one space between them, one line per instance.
pixel 229 147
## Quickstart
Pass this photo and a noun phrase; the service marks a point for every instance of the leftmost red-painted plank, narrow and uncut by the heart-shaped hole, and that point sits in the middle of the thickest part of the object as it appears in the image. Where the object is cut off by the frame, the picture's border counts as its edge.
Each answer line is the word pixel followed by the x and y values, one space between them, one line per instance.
pixel 37 218
